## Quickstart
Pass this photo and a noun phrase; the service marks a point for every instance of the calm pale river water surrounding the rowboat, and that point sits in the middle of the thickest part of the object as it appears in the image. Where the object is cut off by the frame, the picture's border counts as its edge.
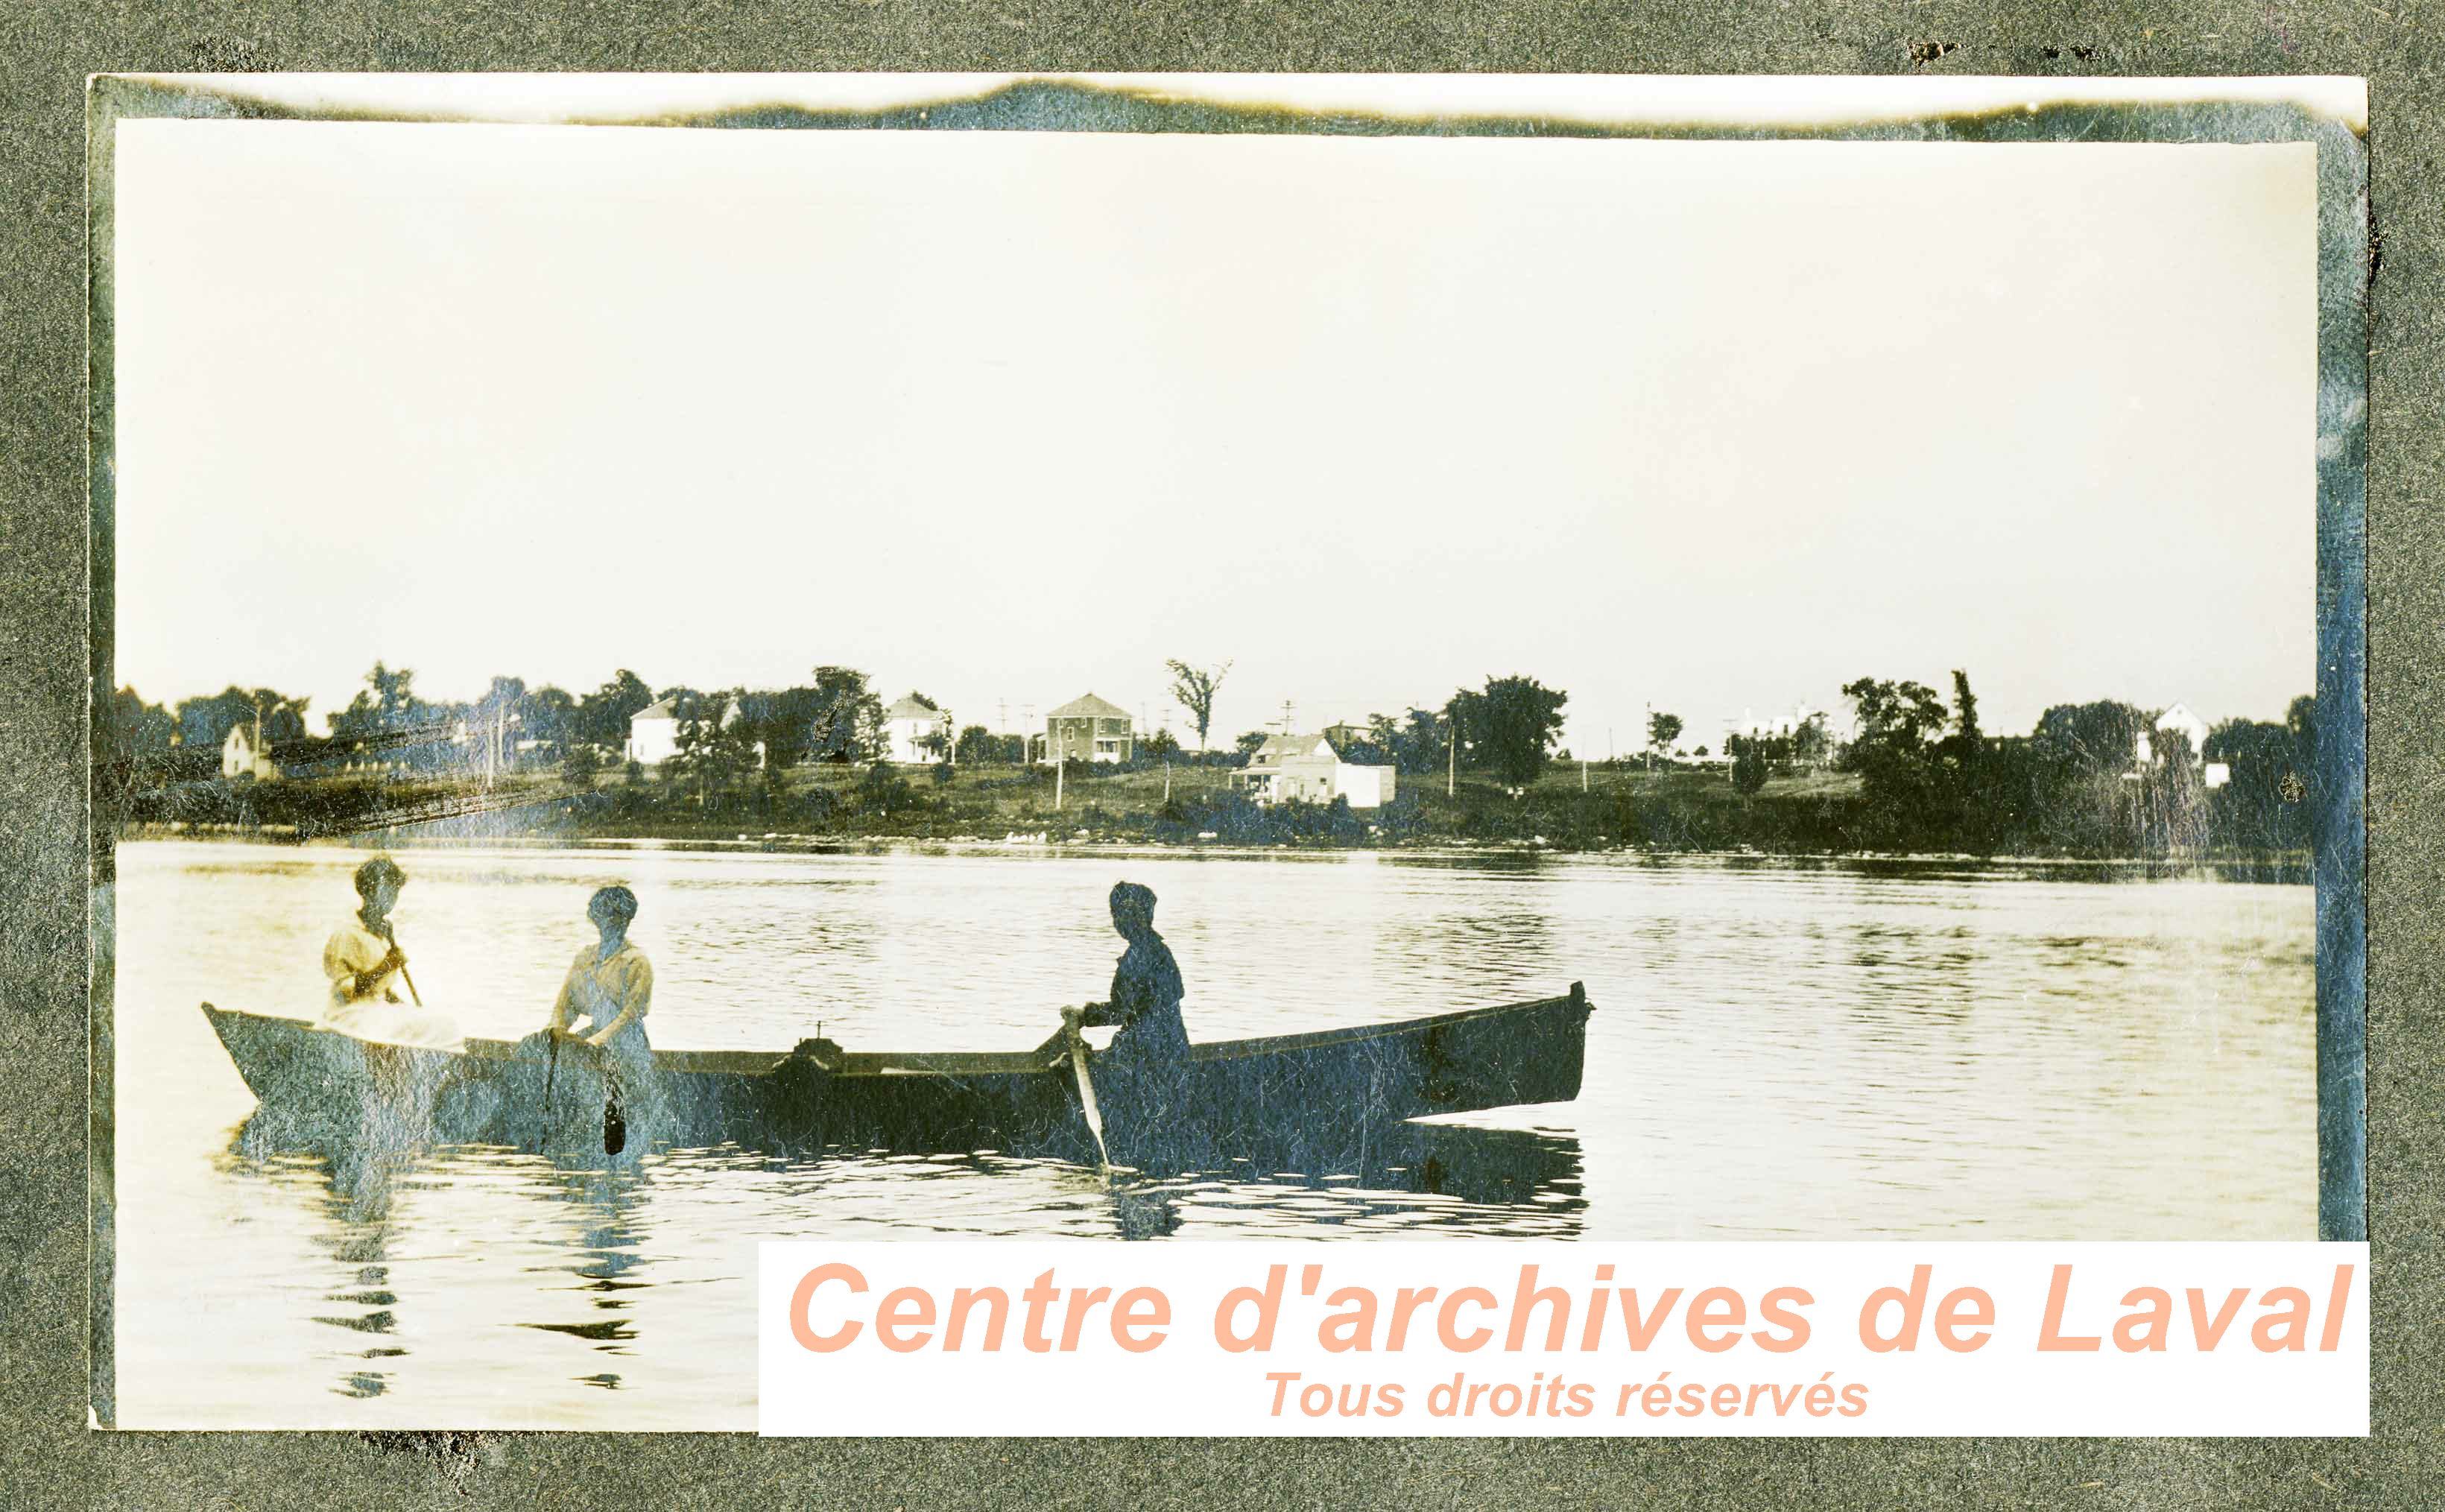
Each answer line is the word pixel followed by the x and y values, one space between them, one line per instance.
pixel 1781 1051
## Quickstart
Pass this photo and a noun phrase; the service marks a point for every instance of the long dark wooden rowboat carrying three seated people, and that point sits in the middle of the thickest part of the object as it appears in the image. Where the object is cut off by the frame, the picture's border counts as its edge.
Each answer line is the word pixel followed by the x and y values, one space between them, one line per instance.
pixel 1295 1097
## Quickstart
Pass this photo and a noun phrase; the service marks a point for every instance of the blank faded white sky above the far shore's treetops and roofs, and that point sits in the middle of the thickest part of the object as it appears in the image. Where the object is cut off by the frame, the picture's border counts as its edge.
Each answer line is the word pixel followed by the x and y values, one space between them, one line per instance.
pixel 1013 417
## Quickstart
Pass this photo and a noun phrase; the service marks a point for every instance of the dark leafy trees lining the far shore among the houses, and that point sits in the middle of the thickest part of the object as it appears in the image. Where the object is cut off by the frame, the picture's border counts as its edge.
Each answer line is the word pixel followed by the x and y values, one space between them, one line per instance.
pixel 2089 779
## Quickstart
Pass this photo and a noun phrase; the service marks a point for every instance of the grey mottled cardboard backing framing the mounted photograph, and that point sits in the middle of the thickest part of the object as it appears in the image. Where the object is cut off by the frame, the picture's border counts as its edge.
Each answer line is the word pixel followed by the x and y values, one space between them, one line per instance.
pixel 53 1459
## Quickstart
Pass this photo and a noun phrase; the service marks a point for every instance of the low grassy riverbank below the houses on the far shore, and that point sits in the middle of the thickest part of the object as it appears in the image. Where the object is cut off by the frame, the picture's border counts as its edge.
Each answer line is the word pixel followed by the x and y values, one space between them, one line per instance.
pixel 1189 804
